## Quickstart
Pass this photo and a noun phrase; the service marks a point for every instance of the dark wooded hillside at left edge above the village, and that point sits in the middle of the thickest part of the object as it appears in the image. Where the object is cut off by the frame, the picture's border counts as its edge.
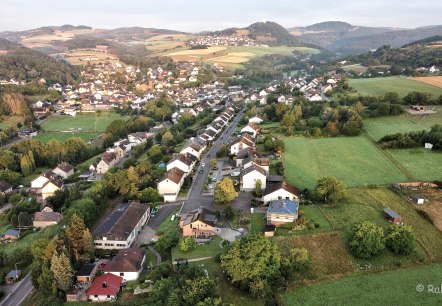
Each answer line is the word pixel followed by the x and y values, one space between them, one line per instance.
pixel 31 65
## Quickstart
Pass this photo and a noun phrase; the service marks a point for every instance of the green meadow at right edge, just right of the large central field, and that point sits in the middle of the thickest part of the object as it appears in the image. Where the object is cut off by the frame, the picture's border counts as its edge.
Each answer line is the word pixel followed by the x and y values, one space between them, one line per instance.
pixel 424 164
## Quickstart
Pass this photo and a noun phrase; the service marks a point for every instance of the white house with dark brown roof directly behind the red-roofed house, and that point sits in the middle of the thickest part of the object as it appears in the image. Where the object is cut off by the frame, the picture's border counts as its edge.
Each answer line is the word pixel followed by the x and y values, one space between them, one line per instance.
pixel 128 264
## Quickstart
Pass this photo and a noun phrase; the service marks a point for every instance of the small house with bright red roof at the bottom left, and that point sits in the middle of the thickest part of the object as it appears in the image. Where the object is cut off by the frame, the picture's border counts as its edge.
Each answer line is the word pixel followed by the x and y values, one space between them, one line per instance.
pixel 105 288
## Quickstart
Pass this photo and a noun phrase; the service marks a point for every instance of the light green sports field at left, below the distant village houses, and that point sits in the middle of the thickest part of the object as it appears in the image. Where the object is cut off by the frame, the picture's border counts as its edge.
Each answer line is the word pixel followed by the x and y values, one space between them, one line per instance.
pixel 87 122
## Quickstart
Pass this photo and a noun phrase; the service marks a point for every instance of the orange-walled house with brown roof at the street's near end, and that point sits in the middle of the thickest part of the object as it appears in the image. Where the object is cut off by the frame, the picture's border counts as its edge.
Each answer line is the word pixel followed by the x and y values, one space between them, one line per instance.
pixel 199 223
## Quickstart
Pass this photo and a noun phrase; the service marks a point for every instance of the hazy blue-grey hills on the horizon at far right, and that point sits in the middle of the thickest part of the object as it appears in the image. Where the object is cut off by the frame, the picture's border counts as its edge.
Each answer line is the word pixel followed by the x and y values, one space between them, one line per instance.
pixel 346 39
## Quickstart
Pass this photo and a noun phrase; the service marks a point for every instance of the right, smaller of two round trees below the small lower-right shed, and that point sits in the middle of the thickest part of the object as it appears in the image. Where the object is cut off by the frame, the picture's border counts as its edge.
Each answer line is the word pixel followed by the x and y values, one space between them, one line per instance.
pixel 400 239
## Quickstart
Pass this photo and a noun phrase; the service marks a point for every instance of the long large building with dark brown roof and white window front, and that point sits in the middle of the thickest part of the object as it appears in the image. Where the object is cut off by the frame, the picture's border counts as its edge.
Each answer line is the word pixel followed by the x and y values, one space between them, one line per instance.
pixel 121 227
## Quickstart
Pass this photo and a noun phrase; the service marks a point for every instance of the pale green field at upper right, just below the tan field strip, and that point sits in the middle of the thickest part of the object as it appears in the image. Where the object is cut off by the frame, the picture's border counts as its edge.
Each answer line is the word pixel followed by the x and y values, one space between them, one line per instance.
pixel 379 86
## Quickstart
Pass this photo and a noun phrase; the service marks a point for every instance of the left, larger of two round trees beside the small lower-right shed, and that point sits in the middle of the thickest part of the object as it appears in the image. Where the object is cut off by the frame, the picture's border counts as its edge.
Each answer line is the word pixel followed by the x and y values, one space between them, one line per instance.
pixel 367 240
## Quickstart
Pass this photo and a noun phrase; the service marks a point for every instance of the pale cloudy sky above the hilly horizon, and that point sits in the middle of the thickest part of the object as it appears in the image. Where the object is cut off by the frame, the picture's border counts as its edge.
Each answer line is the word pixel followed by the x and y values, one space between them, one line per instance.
pixel 198 15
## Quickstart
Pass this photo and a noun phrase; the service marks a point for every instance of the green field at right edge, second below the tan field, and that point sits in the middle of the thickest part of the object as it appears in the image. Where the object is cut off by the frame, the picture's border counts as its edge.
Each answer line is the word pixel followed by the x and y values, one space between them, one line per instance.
pixel 381 126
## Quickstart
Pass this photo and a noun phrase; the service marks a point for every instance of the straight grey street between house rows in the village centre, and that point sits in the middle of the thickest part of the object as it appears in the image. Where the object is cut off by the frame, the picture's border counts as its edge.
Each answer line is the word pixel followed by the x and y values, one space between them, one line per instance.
pixel 194 199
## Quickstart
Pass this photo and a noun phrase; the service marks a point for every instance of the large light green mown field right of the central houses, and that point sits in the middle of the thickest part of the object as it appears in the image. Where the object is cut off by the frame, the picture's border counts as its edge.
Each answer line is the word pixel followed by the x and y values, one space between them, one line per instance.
pixel 354 160
